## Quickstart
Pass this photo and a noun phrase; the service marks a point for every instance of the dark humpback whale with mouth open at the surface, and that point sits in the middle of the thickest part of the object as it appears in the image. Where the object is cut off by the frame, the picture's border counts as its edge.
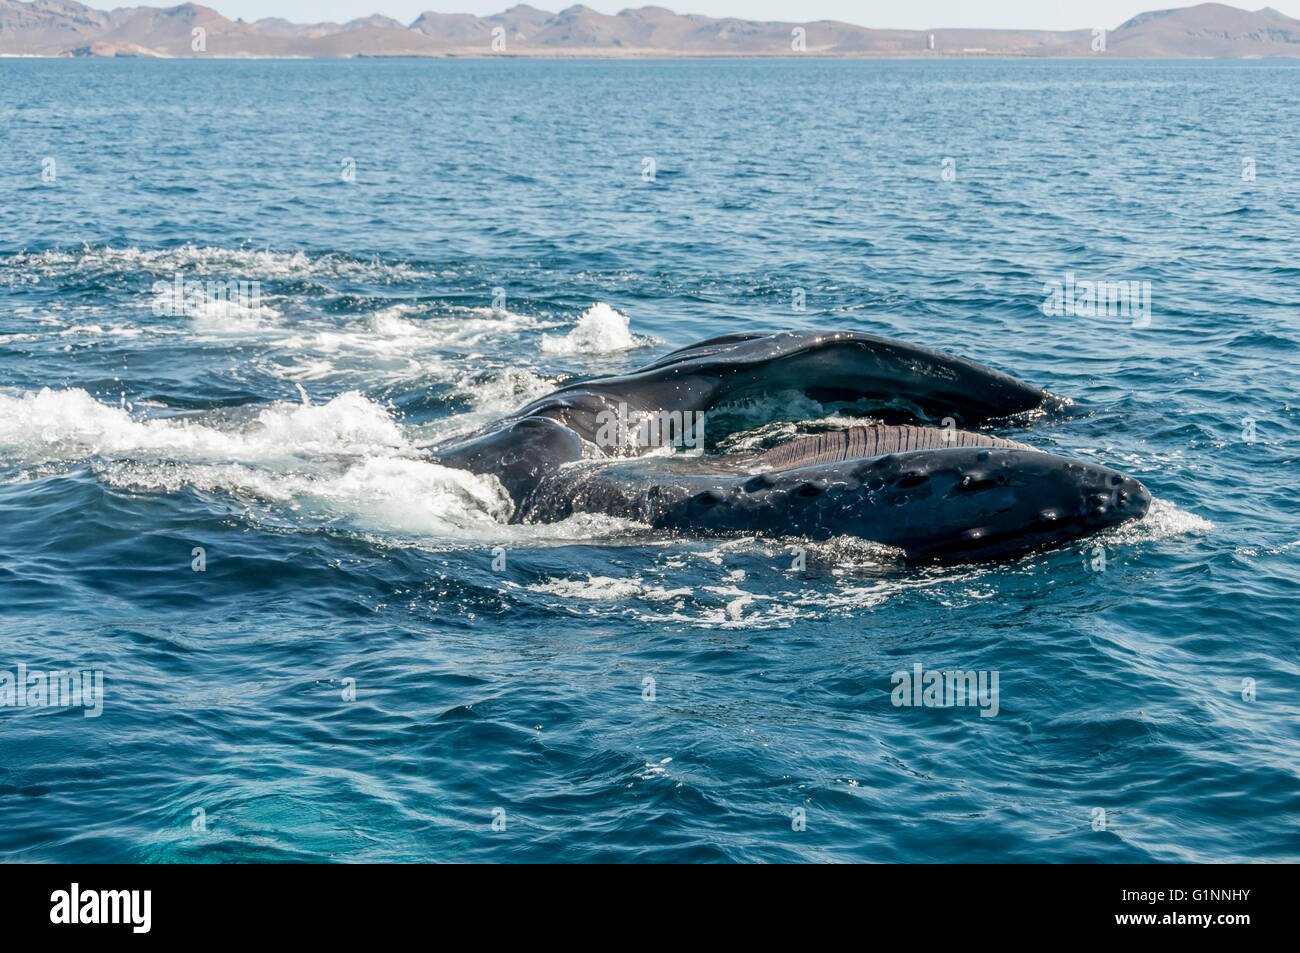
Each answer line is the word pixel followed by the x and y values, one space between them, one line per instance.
pixel 946 492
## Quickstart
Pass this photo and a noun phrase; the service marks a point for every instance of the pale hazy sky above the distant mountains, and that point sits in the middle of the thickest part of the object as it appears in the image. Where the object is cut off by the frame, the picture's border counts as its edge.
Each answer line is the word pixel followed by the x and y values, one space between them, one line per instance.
pixel 1054 15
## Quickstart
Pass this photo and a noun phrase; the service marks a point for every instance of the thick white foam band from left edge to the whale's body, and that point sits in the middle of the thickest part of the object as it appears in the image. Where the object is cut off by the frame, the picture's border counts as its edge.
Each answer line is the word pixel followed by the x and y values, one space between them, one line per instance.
pixel 345 461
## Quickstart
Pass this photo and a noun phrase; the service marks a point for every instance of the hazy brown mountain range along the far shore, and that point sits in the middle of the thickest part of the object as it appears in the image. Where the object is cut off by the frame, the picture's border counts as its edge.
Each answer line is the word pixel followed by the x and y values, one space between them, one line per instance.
pixel 66 28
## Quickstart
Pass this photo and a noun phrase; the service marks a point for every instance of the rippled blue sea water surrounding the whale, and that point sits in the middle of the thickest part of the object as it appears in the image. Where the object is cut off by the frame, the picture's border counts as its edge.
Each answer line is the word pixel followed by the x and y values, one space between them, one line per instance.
pixel 319 647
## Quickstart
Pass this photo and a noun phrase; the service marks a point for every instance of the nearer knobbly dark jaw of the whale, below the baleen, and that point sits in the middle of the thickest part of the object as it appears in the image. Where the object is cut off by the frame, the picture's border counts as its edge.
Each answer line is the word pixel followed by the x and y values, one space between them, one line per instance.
pixel 955 504
